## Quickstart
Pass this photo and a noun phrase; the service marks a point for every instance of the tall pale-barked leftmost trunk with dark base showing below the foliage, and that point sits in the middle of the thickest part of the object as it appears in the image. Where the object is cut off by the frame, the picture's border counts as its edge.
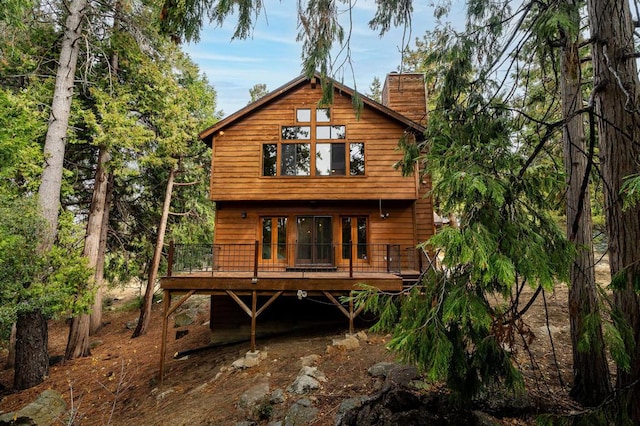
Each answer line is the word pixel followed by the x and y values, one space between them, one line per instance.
pixel 32 362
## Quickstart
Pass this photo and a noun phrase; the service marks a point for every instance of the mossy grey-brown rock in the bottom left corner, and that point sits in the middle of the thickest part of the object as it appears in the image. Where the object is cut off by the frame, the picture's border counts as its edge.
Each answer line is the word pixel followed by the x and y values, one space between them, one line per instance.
pixel 47 409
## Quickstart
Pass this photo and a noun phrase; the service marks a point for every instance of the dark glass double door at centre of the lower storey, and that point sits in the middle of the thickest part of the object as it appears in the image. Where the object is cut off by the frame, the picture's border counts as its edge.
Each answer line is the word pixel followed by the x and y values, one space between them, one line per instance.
pixel 314 240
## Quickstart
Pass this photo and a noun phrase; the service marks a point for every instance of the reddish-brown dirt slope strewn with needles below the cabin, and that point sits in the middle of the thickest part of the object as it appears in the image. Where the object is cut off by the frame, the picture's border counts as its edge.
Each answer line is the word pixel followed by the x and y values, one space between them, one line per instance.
pixel 118 384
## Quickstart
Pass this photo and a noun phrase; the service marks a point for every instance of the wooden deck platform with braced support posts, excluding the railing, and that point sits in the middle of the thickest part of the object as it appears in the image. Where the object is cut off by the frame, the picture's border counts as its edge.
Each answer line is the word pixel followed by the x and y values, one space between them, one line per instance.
pixel 270 284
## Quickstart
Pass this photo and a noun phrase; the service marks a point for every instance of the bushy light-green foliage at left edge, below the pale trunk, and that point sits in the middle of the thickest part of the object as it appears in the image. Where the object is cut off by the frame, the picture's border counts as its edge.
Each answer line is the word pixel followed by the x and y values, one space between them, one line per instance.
pixel 33 281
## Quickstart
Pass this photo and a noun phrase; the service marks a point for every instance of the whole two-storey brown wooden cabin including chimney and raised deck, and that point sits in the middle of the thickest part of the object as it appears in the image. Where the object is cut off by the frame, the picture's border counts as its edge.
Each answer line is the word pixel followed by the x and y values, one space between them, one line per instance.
pixel 308 200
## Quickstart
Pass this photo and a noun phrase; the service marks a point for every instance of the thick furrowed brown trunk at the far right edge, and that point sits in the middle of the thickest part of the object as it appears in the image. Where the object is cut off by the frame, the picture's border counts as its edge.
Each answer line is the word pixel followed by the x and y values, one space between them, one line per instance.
pixel 616 88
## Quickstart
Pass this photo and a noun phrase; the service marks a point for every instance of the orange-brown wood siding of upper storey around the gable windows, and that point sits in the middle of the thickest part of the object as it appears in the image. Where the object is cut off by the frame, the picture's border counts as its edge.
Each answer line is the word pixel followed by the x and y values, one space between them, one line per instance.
pixel 237 155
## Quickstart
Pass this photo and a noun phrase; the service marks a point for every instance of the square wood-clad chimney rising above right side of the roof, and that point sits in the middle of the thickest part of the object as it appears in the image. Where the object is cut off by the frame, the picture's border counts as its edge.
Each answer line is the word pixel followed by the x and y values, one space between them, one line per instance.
pixel 405 94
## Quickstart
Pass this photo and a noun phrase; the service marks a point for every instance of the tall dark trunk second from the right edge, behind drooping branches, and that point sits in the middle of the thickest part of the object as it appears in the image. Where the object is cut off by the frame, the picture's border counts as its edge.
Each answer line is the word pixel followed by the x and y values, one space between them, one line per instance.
pixel 591 381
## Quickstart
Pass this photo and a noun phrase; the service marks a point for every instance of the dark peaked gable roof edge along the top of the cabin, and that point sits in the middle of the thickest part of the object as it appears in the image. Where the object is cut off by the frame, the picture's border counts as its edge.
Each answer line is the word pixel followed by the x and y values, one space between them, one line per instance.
pixel 207 134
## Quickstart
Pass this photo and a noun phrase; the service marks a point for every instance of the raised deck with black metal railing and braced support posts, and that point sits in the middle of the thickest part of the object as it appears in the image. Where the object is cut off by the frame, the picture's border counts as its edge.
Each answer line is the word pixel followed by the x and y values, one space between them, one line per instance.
pixel 252 279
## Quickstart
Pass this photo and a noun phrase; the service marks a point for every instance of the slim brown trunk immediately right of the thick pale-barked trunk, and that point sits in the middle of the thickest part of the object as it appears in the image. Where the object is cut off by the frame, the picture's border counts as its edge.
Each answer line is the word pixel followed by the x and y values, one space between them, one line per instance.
pixel 78 342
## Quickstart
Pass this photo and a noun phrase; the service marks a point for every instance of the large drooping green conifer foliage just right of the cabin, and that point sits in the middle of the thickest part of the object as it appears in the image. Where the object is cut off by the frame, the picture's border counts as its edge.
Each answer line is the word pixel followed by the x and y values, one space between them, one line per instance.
pixel 483 174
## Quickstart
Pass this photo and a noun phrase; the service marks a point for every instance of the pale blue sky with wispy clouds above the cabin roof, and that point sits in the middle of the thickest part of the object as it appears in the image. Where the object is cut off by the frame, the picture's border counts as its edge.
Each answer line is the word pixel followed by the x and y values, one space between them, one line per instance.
pixel 272 55
